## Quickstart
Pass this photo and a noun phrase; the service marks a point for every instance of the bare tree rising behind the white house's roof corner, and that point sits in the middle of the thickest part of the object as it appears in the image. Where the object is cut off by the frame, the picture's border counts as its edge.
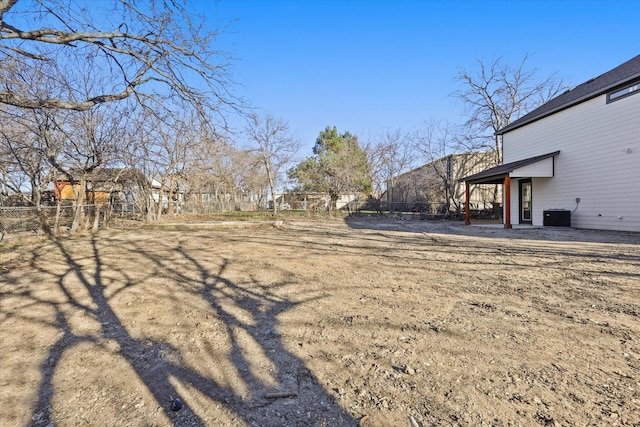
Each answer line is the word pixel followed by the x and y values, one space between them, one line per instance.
pixel 495 94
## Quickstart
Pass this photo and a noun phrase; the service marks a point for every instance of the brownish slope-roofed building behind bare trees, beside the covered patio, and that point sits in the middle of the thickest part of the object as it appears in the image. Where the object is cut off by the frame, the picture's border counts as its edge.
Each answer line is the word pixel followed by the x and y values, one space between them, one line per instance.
pixel 435 187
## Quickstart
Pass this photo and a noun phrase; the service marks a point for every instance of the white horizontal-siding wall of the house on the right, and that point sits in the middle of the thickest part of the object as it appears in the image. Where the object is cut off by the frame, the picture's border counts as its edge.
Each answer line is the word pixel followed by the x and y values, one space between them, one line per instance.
pixel 599 162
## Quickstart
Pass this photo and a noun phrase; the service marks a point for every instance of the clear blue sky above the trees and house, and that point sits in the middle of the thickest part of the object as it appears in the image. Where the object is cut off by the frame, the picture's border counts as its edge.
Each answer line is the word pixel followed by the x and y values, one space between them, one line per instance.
pixel 372 66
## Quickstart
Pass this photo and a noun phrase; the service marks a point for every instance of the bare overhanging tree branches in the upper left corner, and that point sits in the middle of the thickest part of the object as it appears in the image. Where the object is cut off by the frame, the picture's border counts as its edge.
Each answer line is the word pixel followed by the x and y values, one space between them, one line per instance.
pixel 144 50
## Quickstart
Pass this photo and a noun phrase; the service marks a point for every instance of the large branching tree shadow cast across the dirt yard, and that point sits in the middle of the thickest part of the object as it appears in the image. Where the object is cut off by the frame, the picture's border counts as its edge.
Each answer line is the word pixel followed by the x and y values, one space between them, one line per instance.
pixel 275 387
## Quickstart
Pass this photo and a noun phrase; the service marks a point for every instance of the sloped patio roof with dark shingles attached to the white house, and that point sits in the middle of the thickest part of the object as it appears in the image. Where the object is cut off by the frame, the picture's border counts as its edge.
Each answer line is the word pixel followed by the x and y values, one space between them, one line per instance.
pixel 517 169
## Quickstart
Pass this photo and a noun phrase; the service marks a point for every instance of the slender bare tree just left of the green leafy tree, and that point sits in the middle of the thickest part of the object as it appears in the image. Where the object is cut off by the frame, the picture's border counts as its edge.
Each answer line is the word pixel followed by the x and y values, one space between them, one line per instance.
pixel 274 147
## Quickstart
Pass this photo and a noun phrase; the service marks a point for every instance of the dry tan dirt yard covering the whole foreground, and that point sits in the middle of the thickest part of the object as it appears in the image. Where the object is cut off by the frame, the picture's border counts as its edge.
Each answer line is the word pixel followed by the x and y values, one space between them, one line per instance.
pixel 321 323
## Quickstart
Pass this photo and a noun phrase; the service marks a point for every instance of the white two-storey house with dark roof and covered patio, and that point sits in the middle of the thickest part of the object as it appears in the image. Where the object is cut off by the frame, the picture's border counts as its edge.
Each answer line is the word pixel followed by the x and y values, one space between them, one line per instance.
pixel 576 159
